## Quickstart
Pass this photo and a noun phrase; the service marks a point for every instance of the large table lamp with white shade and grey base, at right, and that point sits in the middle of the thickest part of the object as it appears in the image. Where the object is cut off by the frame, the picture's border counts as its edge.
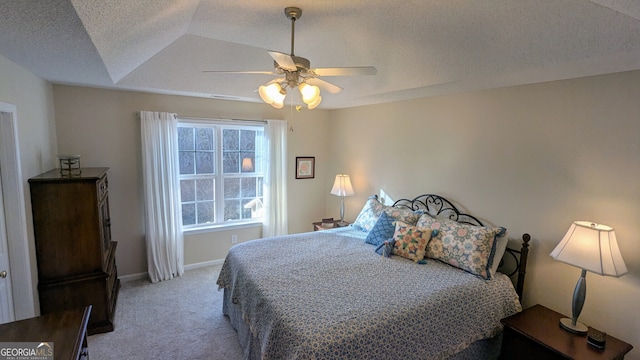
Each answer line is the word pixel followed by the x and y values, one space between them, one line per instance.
pixel 590 247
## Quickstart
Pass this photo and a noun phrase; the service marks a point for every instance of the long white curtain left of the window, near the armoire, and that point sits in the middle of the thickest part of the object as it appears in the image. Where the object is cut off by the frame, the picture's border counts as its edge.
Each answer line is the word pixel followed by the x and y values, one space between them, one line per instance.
pixel 163 220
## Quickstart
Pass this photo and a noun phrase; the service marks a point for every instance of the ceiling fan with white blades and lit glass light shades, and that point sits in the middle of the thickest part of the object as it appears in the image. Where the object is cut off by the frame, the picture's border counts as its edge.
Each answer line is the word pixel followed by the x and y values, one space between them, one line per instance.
pixel 295 71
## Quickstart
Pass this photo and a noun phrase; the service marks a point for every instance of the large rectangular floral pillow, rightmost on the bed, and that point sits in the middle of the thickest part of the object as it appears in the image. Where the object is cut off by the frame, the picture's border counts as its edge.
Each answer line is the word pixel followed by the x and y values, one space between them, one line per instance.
pixel 470 248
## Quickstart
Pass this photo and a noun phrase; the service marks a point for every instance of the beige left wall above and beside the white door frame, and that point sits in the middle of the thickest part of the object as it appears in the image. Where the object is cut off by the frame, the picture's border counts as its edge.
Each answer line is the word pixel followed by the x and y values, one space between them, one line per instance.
pixel 33 99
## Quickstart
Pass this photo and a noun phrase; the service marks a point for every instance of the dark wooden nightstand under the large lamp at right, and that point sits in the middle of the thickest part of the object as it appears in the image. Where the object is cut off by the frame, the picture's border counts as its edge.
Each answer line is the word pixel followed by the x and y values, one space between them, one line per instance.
pixel 535 333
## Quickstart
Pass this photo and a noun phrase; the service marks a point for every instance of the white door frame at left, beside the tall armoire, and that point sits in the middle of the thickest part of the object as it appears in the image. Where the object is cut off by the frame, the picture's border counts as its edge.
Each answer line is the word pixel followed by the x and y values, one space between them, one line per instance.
pixel 15 214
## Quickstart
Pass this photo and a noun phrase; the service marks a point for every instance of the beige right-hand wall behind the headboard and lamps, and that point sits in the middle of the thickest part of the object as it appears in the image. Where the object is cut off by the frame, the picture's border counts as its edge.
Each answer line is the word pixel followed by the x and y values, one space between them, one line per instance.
pixel 530 158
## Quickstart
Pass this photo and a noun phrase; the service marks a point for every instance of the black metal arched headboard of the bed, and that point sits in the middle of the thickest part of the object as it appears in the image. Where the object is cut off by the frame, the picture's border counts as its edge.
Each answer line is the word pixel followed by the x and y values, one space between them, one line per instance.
pixel 439 207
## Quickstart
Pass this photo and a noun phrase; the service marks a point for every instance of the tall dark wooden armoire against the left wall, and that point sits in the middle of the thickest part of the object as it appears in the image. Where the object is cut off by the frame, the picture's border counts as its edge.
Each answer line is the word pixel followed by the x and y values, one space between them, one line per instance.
pixel 75 253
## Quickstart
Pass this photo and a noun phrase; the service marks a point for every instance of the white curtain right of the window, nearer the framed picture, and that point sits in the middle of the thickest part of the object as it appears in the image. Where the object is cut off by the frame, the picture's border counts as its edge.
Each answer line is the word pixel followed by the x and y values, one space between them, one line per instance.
pixel 275 197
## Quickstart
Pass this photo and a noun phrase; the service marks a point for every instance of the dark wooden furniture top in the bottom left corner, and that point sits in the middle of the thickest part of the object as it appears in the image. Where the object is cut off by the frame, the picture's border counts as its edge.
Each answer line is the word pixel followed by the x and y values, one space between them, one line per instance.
pixel 67 330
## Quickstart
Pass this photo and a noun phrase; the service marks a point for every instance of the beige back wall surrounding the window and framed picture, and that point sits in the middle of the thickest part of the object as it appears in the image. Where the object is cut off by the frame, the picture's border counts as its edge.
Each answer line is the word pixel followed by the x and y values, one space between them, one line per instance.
pixel 103 126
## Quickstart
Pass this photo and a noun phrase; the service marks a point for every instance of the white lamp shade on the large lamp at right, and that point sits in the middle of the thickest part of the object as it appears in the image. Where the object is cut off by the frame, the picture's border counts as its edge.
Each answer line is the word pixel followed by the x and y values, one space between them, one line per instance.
pixel 592 247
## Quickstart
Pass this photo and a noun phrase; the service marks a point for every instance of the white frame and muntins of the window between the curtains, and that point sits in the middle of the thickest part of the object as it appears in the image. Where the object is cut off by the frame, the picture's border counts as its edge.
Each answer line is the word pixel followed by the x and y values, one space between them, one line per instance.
pixel 219 126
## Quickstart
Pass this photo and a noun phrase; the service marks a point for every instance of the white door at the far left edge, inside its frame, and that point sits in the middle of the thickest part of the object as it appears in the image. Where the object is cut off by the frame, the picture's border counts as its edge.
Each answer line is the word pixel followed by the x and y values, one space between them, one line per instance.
pixel 6 297
